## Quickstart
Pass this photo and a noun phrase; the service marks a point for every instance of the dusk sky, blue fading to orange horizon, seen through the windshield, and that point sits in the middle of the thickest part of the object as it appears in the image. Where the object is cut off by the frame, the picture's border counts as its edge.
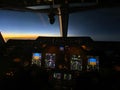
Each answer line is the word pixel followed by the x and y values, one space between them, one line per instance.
pixel 99 24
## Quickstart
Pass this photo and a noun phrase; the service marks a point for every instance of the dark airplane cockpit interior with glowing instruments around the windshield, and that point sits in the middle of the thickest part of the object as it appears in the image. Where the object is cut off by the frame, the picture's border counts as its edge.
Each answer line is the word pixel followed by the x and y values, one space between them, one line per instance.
pixel 61 62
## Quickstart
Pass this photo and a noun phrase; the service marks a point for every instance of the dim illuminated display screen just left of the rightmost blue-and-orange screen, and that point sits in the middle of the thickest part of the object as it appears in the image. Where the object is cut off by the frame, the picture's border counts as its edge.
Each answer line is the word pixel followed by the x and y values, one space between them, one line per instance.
pixel 76 62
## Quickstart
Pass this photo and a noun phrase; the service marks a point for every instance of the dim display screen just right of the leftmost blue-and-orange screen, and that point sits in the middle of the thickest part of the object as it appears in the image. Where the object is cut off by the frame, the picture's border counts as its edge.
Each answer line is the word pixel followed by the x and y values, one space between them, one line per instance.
pixel 50 60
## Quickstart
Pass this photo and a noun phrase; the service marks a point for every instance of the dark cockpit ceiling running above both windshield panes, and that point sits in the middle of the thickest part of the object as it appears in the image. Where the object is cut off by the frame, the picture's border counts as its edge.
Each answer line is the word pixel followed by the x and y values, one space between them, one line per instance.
pixel 44 4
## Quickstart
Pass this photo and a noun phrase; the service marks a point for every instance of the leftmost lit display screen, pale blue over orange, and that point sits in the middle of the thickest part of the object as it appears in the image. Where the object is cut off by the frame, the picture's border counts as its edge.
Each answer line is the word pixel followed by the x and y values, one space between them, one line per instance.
pixel 36 58
